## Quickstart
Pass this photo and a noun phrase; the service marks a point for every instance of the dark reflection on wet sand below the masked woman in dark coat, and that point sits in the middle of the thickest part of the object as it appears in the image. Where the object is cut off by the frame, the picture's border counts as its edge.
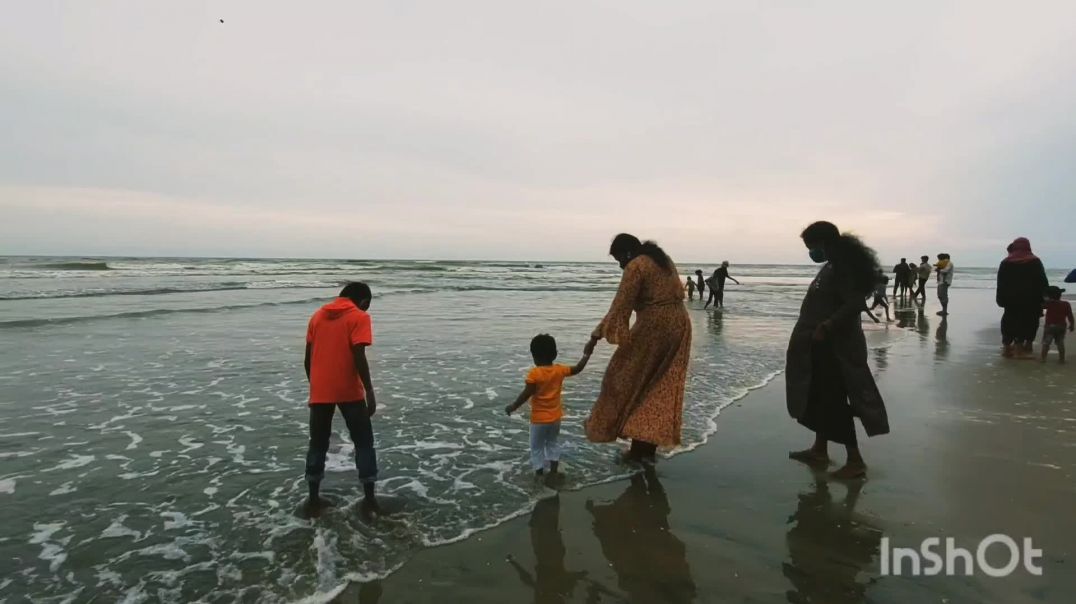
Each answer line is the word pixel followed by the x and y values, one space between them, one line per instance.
pixel 829 547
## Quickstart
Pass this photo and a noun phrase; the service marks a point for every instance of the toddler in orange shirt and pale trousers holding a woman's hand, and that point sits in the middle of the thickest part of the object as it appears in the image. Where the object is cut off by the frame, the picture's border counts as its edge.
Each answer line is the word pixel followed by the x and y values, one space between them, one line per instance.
pixel 544 390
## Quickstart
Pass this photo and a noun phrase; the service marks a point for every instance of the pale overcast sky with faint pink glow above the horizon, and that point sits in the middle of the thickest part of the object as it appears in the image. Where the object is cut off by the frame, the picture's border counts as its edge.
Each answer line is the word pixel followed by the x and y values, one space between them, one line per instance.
pixel 536 131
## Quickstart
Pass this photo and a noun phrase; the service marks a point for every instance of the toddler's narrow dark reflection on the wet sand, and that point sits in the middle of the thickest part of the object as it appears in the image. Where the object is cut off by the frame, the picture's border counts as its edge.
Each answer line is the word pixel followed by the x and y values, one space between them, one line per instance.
pixel 550 582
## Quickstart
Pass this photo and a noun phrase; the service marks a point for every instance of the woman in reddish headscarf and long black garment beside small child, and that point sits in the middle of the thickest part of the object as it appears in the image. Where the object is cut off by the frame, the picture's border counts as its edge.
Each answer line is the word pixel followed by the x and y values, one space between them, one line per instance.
pixel 1022 282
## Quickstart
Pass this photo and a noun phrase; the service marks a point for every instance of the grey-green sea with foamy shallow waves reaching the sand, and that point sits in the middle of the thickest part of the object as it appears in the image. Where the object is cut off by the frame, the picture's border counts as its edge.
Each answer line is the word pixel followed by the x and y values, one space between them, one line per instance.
pixel 153 425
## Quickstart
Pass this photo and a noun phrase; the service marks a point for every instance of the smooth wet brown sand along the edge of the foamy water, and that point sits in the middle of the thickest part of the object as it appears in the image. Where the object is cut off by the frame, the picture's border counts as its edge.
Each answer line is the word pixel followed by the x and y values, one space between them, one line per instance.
pixel 980 445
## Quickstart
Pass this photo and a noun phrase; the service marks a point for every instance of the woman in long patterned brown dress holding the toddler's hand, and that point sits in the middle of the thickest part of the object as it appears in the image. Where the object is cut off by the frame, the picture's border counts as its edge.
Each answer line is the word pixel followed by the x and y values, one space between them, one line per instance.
pixel 642 395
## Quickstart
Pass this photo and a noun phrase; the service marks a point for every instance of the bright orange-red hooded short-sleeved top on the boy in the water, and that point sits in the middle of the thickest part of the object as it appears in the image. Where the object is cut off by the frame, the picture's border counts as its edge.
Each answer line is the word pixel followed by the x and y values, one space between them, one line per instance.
pixel 333 331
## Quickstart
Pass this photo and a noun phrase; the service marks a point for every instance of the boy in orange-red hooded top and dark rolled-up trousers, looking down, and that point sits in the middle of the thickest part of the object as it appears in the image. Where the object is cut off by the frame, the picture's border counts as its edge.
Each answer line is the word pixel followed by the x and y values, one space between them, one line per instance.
pixel 339 378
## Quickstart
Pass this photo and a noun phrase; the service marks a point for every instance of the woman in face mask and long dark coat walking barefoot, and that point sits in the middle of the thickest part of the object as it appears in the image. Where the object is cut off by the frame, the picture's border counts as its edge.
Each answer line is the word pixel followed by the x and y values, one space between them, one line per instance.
pixel 828 381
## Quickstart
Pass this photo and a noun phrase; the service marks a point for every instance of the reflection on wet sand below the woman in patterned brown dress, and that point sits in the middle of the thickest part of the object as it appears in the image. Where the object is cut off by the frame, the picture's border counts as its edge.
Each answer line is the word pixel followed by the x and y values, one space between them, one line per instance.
pixel 650 563
